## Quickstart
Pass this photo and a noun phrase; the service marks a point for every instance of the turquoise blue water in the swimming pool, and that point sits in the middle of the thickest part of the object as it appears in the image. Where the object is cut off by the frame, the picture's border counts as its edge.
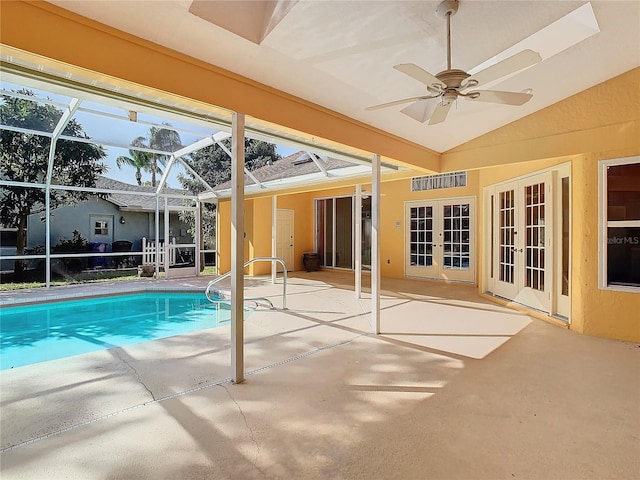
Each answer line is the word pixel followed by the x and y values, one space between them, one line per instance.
pixel 47 331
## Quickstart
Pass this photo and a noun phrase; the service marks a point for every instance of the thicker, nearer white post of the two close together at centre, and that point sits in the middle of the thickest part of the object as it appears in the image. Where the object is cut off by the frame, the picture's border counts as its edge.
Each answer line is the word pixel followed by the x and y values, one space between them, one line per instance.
pixel 375 244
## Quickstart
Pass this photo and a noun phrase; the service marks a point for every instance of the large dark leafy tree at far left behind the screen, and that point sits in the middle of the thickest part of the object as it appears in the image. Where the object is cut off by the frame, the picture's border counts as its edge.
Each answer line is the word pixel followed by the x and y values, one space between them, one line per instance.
pixel 24 158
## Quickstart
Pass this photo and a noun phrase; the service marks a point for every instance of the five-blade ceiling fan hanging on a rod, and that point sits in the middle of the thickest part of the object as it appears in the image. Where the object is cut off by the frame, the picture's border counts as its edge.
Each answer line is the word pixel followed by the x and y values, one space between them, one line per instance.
pixel 450 84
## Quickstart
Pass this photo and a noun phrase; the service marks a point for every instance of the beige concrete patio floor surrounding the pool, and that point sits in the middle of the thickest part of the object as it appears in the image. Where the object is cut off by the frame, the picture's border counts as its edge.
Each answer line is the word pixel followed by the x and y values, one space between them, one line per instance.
pixel 455 387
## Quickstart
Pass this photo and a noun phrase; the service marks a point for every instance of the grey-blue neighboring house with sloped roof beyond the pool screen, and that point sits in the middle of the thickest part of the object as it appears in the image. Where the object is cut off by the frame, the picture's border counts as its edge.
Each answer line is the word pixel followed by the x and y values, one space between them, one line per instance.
pixel 119 217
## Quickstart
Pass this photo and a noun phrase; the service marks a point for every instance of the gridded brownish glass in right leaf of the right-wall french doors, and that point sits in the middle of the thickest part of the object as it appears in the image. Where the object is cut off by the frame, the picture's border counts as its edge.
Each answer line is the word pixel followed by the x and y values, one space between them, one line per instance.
pixel 534 236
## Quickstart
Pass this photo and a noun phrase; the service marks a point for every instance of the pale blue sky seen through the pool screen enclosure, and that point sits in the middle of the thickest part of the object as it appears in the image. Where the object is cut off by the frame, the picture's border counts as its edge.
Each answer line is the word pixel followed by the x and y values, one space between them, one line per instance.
pixel 111 126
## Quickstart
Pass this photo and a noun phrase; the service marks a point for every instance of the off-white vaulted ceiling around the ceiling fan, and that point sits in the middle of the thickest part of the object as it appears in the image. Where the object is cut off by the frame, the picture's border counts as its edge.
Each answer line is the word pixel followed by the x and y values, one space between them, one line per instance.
pixel 340 54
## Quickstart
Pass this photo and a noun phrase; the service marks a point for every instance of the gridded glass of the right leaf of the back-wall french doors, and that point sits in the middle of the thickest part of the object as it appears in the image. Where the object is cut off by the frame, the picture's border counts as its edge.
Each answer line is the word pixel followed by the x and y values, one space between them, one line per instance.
pixel 456 236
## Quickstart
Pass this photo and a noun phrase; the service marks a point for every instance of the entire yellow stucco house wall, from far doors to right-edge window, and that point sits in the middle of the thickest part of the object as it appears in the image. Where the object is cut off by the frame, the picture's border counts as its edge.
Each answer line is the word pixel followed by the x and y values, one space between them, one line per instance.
pixel 575 131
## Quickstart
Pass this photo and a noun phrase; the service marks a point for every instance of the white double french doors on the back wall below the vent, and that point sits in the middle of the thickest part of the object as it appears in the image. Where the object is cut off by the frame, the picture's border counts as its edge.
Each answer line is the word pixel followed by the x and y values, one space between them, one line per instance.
pixel 440 239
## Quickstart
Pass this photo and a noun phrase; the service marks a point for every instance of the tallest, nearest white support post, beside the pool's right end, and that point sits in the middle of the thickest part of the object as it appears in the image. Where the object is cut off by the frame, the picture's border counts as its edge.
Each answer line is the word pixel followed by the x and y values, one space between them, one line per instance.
pixel 237 247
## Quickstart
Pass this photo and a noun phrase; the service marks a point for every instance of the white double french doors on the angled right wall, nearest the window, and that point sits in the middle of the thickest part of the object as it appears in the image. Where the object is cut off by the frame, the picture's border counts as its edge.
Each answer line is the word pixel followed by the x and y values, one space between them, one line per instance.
pixel 522 247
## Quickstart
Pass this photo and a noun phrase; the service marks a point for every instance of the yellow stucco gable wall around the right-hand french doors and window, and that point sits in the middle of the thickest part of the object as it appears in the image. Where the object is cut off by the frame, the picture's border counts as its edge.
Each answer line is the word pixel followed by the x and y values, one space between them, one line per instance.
pixel 600 123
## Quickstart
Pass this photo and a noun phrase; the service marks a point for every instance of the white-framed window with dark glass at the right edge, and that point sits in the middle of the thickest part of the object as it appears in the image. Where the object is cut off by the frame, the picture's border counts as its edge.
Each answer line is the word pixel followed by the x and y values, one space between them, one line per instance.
pixel 620 223
